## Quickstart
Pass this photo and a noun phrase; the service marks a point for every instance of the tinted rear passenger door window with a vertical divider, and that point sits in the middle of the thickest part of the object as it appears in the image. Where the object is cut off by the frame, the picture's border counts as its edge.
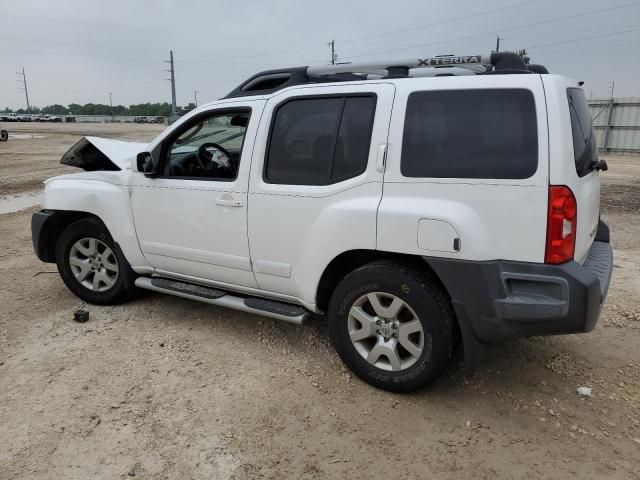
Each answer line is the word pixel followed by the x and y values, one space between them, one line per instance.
pixel 319 141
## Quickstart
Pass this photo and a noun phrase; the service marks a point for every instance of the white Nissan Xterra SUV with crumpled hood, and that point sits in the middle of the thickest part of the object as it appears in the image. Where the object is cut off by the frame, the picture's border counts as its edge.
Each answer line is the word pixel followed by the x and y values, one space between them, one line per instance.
pixel 414 206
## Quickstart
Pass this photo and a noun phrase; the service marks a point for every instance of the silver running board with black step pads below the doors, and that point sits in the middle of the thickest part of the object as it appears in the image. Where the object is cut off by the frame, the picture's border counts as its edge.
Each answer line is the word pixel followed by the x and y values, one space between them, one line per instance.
pixel 259 306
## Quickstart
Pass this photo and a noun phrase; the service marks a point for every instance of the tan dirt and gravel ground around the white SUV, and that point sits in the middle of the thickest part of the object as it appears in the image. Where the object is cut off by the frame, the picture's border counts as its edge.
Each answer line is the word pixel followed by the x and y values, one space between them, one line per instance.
pixel 167 388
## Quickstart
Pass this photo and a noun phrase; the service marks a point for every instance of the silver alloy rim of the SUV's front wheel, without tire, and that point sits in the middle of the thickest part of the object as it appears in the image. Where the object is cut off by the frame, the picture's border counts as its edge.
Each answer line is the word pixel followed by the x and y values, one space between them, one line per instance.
pixel 94 264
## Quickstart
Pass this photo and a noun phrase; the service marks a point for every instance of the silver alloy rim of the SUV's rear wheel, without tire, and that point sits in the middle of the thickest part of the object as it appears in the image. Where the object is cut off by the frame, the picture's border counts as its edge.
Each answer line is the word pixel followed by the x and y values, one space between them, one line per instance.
pixel 385 331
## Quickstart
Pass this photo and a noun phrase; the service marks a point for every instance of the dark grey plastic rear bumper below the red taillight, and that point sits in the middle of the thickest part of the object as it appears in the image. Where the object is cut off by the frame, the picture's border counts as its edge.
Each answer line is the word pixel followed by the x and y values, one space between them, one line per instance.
pixel 497 300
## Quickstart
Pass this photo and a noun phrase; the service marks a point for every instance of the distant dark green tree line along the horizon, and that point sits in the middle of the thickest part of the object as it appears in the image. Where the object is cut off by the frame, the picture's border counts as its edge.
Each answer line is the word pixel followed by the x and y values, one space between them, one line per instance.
pixel 141 109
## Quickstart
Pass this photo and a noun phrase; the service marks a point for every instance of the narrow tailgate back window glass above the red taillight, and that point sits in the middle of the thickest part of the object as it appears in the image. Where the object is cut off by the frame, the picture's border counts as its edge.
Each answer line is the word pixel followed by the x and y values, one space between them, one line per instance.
pixel 584 140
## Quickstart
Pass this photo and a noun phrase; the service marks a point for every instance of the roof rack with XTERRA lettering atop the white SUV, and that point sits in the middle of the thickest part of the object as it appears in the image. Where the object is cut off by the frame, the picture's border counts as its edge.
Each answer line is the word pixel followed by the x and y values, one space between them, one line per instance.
pixel 270 81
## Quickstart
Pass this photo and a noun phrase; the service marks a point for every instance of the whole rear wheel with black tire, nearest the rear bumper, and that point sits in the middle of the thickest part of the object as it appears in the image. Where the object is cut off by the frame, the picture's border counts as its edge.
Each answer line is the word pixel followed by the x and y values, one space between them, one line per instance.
pixel 392 326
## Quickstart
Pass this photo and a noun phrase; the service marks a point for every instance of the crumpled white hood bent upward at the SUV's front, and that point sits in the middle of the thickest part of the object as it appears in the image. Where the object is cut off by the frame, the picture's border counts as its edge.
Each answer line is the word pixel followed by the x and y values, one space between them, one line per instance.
pixel 95 153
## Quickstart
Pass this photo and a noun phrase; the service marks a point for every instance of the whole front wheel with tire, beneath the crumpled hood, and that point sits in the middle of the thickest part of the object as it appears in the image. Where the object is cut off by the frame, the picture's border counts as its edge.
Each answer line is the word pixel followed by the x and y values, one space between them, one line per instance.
pixel 91 264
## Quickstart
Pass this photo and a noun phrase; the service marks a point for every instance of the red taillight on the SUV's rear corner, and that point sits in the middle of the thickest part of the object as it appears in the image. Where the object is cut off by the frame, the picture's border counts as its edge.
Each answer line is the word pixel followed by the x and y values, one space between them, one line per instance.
pixel 562 219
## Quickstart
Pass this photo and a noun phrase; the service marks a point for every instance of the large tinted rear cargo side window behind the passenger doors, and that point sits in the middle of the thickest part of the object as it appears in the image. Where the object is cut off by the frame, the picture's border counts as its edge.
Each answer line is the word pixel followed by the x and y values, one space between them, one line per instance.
pixel 485 133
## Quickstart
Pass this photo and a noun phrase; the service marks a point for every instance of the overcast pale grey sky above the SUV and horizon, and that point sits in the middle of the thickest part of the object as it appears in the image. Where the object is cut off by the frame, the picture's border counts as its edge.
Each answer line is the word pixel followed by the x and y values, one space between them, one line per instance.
pixel 81 50
